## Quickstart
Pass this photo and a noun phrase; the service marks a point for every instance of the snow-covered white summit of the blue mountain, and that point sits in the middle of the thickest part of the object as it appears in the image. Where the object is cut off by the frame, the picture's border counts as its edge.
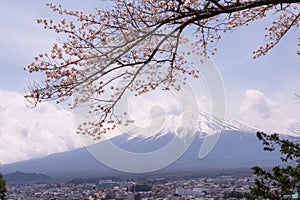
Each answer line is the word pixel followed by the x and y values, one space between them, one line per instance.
pixel 205 124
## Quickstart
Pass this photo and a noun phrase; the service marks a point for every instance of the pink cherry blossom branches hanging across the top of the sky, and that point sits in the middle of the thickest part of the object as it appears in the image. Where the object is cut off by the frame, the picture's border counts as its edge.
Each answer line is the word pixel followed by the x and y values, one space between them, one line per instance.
pixel 137 43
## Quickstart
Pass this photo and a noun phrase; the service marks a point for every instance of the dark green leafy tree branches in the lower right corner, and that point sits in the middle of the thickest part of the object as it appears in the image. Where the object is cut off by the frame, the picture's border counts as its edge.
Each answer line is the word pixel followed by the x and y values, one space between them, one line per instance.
pixel 281 180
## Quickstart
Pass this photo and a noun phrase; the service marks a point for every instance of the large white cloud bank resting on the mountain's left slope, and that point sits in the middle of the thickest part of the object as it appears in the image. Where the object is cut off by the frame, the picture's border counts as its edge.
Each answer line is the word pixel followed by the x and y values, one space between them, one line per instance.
pixel 27 133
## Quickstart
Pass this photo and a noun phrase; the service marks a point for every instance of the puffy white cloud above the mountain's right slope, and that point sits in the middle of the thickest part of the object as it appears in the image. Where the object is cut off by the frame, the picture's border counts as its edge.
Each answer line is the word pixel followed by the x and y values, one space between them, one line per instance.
pixel 267 114
